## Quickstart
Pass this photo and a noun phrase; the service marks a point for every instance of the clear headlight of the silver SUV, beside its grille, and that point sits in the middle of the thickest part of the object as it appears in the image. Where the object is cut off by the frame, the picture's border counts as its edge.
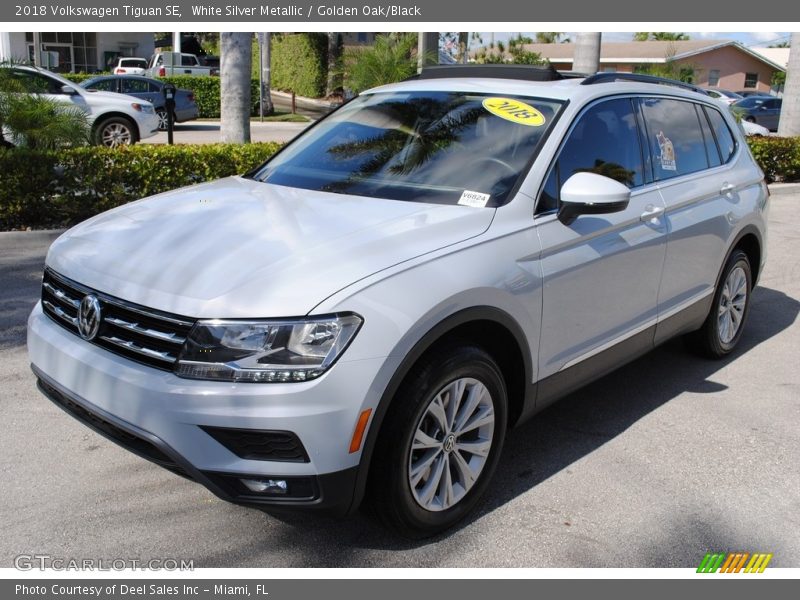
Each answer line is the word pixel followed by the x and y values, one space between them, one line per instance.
pixel 265 351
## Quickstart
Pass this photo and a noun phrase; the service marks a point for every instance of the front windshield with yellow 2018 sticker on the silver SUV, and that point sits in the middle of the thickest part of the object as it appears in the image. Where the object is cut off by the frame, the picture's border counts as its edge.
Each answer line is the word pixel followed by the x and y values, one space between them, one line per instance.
pixel 439 147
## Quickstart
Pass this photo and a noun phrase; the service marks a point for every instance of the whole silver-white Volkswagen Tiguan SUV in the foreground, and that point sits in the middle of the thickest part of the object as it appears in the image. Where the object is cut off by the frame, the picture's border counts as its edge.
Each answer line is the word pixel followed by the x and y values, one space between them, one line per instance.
pixel 374 307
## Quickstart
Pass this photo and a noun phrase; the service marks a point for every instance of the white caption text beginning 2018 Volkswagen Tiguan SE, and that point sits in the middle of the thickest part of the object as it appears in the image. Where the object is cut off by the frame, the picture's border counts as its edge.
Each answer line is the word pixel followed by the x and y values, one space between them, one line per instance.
pixel 133 11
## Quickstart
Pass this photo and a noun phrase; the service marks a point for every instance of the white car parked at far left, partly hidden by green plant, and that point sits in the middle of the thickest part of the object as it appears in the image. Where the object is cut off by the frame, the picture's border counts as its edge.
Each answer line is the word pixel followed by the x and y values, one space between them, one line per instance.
pixel 116 119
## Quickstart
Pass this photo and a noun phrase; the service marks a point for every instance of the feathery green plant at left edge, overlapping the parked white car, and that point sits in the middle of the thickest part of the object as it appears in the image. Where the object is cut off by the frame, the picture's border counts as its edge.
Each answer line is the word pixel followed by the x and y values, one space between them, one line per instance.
pixel 32 120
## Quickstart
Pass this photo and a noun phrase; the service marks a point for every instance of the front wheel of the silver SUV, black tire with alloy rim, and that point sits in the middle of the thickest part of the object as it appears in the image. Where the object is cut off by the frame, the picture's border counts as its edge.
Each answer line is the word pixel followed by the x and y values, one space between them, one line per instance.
pixel 409 487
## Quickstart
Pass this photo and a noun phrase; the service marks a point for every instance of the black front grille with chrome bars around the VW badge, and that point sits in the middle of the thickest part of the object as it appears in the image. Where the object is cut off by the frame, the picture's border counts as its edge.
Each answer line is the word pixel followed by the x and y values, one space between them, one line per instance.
pixel 145 335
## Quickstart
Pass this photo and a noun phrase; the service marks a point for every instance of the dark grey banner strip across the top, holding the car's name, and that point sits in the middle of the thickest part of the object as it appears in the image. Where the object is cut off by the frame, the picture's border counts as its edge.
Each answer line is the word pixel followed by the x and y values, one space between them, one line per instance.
pixel 392 11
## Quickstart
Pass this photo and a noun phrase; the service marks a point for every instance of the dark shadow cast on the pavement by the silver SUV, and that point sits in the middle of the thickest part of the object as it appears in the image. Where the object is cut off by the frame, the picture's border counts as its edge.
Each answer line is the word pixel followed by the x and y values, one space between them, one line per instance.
pixel 556 438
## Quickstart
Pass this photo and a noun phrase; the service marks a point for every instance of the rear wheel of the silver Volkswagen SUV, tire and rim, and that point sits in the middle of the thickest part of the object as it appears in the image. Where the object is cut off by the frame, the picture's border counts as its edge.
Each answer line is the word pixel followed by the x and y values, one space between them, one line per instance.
pixel 725 323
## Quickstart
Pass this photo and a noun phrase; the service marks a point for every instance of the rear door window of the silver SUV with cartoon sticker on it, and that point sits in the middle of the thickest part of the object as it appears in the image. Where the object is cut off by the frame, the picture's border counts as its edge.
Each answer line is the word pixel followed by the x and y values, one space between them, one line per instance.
pixel 676 140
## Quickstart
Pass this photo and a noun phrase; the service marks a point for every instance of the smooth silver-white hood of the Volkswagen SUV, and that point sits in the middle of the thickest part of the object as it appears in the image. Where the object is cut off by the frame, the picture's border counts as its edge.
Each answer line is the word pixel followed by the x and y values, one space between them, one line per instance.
pixel 237 248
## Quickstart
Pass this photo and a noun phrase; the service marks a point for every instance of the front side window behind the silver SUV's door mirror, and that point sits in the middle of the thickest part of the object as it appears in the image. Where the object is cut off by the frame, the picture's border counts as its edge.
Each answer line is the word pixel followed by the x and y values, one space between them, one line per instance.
pixel 605 140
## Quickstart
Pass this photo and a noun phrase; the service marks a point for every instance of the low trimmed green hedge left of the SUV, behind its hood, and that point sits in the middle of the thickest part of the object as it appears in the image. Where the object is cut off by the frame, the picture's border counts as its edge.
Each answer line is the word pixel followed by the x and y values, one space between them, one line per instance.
pixel 57 189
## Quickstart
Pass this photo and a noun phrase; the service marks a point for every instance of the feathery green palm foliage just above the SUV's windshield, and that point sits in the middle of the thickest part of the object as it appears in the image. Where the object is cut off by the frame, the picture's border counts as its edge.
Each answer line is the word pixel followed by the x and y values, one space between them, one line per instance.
pixel 392 58
